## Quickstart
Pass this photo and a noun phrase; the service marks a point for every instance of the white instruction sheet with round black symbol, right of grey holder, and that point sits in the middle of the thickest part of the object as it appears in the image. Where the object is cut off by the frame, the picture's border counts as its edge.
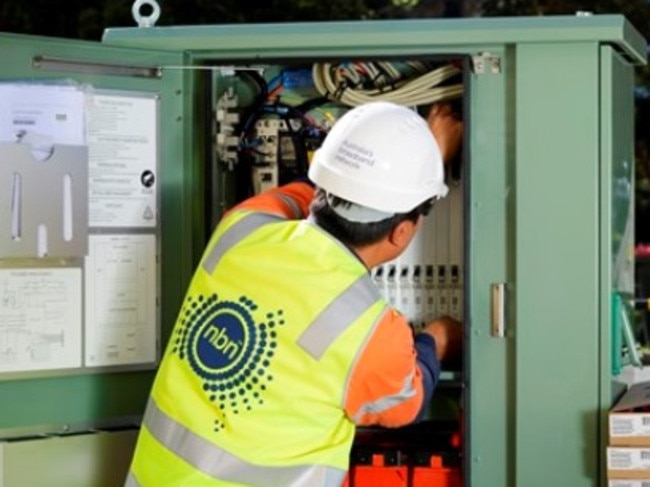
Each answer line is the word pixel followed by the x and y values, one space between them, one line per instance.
pixel 123 155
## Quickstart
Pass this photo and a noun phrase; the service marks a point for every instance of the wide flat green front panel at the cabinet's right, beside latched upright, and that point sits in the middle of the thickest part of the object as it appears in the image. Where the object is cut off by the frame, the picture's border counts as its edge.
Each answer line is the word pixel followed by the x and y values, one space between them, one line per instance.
pixel 557 276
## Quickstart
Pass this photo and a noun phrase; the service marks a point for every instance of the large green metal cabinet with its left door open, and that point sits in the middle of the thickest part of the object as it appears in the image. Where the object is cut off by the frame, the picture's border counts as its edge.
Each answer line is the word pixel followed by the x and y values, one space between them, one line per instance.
pixel 548 107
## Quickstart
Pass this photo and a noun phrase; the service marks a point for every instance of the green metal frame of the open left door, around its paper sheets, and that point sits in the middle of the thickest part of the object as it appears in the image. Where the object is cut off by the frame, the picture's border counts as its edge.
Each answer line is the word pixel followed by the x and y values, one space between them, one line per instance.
pixel 81 399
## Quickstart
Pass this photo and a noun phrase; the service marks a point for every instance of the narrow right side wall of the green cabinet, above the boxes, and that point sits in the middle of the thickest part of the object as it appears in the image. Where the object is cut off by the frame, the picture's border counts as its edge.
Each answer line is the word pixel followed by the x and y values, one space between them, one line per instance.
pixel 617 231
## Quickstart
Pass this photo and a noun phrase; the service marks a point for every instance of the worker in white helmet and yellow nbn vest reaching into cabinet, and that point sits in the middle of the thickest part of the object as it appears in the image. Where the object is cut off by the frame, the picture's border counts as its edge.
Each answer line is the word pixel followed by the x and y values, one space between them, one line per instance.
pixel 283 345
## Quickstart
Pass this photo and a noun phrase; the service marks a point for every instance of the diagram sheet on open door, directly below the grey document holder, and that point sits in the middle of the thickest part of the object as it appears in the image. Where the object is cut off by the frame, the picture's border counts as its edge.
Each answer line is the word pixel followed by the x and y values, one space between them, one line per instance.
pixel 40 319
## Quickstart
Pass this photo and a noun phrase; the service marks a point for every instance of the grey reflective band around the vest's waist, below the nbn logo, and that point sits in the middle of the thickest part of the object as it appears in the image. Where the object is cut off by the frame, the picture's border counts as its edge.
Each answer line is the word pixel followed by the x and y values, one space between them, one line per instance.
pixel 217 463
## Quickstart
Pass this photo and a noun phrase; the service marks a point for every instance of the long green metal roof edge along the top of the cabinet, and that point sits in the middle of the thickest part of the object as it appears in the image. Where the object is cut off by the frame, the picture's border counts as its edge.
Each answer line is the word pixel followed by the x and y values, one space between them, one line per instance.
pixel 398 36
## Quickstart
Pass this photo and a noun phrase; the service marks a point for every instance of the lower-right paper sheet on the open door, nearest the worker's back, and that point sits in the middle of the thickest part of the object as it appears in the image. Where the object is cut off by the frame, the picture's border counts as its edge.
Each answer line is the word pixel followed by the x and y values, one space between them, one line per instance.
pixel 121 295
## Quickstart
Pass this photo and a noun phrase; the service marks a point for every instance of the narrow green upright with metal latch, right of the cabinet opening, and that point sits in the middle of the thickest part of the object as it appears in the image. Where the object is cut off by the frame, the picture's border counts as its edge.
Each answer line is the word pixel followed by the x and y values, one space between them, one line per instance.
pixel 490 391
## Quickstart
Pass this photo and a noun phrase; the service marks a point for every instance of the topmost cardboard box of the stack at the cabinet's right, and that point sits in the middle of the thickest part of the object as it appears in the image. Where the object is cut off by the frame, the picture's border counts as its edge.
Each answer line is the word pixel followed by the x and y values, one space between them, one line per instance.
pixel 629 419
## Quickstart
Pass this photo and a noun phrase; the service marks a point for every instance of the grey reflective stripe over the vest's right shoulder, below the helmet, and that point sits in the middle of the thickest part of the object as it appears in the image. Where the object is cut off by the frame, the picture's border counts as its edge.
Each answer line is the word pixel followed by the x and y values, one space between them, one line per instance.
pixel 338 316
